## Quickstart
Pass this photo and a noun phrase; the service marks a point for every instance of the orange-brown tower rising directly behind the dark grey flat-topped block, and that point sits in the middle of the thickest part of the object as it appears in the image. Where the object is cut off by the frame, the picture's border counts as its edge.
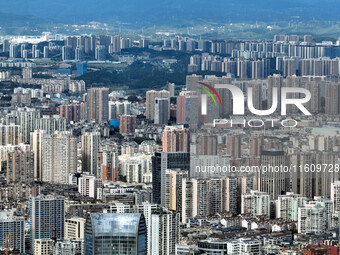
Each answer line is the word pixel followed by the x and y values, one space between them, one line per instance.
pixel 175 139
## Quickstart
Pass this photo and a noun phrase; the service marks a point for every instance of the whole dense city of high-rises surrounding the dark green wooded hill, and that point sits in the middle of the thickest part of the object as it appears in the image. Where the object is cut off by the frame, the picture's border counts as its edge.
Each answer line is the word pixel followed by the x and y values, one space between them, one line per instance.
pixel 88 170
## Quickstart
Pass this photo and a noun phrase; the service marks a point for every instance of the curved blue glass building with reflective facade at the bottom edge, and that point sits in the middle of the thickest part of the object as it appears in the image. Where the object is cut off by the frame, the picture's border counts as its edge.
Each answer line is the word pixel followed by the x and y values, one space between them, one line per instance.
pixel 115 234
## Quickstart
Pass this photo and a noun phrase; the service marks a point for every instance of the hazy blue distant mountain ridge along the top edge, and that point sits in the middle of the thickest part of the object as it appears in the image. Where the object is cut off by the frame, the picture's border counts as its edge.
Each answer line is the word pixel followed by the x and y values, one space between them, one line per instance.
pixel 159 12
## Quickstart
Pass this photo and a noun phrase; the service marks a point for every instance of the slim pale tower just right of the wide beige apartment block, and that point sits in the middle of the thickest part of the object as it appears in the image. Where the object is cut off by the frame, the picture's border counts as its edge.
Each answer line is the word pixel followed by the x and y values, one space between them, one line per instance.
pixel 90 142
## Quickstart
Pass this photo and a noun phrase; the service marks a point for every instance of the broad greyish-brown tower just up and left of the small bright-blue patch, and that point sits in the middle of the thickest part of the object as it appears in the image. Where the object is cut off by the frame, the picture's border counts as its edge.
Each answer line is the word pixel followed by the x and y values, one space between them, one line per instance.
pixel 98 104
